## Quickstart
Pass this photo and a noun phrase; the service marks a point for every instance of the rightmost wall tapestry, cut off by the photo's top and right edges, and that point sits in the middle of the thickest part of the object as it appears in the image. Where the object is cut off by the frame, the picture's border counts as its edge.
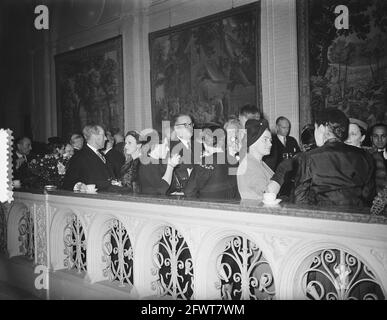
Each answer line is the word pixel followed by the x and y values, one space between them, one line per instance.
pixel 343 68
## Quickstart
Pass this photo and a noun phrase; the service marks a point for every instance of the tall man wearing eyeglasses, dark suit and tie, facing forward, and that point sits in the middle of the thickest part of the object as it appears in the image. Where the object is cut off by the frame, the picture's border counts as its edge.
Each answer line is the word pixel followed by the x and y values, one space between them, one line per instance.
pixel 182 126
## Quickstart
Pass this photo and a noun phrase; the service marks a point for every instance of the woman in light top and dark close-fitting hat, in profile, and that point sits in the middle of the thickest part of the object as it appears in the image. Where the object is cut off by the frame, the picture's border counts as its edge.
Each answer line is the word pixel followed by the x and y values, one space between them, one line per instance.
pixel 253 174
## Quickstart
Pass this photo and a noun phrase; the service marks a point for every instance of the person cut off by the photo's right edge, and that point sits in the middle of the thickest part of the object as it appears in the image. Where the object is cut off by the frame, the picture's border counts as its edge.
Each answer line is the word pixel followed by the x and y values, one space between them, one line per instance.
pixel 379 154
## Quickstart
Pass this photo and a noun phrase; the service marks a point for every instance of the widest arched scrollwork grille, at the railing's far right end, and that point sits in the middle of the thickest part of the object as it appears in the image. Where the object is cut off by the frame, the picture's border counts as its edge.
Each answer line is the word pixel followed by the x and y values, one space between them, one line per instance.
pixel 337 275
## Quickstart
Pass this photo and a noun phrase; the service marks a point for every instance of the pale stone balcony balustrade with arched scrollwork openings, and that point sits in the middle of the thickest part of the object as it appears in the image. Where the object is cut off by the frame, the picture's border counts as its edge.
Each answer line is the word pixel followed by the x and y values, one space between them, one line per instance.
pixel 178 249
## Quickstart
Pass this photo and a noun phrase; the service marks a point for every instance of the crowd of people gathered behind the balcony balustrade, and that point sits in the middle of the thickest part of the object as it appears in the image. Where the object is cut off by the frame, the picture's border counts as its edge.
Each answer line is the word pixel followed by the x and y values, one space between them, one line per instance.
pixel 339 161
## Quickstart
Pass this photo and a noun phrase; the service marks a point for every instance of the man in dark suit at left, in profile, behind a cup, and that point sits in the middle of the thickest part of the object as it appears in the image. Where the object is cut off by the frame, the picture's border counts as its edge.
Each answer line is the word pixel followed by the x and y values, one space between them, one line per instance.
pixel 89 166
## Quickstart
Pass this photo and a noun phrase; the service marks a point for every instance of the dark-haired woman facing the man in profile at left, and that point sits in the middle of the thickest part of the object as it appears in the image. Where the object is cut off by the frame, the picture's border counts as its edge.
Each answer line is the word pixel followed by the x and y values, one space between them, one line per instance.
pixel 129 171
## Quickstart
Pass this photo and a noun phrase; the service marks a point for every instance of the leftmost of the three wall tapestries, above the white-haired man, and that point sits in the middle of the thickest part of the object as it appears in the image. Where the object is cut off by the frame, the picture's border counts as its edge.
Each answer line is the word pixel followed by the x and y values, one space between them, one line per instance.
pixel 89 84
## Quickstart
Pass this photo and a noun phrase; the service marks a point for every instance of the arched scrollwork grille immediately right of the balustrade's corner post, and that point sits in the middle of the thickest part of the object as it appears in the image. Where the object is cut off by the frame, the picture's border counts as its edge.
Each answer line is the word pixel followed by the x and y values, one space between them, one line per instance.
pixel 75 245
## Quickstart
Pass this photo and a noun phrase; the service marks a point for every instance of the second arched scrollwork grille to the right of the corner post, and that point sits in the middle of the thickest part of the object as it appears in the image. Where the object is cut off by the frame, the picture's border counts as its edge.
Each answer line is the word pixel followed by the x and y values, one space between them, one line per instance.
pixel 118 254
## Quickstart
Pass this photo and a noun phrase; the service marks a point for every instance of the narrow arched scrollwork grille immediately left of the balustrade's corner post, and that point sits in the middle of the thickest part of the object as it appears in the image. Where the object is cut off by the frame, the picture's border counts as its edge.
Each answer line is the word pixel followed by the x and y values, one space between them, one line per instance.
pixel 26 235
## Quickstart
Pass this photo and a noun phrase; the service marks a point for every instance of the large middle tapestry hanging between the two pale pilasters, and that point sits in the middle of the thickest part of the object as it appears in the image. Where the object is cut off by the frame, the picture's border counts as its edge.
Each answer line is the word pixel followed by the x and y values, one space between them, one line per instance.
pixel 207 68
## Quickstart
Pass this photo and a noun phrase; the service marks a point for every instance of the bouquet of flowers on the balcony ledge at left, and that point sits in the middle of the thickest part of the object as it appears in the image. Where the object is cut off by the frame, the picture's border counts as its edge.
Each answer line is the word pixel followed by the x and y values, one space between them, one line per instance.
pixel 50 169
